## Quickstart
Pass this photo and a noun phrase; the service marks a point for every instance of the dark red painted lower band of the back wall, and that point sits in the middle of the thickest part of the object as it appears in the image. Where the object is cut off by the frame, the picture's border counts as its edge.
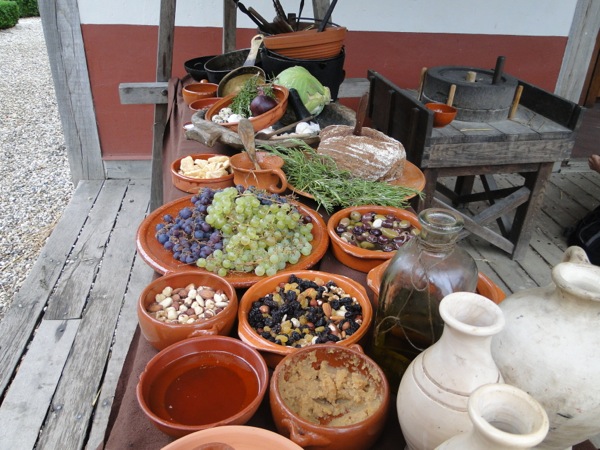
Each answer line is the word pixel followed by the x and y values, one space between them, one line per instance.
pixel 127 53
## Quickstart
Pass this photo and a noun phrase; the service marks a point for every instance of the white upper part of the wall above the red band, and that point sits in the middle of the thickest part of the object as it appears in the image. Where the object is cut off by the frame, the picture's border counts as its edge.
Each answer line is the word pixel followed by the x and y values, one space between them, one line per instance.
pixel 509 17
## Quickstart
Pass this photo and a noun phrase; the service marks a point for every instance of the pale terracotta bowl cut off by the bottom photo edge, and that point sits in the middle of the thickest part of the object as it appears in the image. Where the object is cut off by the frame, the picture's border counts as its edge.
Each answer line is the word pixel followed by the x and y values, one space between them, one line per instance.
pixel 238 437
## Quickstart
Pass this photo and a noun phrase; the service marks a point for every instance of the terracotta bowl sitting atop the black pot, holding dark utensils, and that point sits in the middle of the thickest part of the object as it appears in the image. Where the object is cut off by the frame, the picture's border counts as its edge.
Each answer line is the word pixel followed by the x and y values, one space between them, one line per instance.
pixel 308 44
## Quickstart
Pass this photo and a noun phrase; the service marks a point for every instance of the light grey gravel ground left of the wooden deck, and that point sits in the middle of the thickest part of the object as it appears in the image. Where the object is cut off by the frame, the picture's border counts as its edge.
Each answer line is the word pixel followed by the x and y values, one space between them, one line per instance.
pixel 36 184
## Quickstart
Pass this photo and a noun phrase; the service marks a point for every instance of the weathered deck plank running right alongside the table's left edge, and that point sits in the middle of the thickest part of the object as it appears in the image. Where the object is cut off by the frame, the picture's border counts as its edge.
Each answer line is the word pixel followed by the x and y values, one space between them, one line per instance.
pixel 141 276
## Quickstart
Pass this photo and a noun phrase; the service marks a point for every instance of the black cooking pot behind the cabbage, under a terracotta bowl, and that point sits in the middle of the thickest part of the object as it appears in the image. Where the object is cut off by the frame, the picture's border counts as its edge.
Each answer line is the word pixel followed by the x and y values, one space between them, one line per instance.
pixel 330 72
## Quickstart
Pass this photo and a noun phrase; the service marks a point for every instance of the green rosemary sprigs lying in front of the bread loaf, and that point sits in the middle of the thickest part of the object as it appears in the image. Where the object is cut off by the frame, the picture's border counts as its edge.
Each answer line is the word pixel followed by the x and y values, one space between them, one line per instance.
pixel 333 187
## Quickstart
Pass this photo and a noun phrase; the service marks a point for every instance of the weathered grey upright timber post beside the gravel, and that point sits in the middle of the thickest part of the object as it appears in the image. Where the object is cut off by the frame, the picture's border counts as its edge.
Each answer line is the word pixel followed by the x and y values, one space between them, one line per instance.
pixel 62 32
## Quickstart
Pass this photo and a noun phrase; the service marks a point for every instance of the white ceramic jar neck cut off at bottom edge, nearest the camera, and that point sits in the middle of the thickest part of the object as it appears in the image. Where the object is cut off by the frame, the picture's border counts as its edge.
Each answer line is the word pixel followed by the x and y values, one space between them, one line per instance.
pixel 504 417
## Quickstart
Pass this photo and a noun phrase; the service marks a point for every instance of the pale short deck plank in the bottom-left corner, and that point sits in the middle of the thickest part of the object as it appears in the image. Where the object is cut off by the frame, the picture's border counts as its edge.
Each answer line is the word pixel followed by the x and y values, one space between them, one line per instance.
pixel 28 399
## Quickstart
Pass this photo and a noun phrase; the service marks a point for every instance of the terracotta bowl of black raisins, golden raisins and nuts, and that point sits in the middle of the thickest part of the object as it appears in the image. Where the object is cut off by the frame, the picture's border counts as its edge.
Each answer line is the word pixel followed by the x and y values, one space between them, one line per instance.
pixel 295 309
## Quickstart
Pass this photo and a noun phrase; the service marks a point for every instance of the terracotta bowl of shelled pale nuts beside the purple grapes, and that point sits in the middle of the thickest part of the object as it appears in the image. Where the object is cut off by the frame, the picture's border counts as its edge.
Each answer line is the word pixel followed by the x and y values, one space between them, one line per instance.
pixel 186 304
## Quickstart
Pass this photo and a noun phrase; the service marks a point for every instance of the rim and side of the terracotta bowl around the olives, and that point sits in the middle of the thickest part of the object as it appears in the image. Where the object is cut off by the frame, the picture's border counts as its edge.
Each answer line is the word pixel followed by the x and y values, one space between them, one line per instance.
pixel 356 257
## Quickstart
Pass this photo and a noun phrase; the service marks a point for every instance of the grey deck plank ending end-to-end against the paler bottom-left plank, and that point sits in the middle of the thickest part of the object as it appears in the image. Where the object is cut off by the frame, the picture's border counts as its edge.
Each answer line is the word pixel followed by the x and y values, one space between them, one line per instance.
pixel 71 292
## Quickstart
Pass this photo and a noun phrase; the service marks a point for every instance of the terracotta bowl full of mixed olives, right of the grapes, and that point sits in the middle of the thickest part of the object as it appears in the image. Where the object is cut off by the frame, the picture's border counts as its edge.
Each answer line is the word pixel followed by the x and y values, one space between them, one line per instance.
pixel 362 237
